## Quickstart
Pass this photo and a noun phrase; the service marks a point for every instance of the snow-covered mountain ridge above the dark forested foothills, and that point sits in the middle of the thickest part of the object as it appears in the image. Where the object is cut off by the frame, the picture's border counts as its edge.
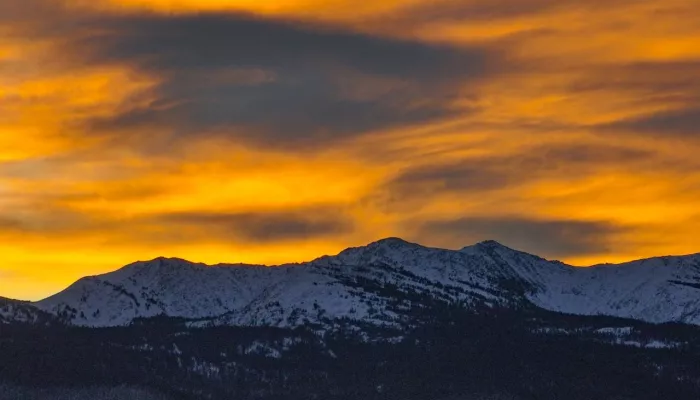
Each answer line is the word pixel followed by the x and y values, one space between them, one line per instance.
pixel 380 284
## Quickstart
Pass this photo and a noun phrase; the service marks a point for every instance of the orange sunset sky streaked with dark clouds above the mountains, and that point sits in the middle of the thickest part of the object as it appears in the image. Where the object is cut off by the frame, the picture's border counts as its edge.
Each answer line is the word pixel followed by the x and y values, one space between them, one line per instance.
pixel 278 131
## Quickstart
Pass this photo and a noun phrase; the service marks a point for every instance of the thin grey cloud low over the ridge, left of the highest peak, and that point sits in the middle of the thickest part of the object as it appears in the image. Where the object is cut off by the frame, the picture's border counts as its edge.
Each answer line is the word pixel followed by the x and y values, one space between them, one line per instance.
pixel 260 227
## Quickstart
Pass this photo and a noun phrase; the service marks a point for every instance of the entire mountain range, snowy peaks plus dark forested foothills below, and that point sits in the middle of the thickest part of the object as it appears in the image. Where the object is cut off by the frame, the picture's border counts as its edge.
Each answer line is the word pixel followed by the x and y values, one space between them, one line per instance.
pixel 390 320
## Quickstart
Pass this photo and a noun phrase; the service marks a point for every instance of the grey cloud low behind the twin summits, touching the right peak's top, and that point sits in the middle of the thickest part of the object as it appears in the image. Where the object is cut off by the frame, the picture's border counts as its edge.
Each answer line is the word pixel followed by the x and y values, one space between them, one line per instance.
pixel 550 238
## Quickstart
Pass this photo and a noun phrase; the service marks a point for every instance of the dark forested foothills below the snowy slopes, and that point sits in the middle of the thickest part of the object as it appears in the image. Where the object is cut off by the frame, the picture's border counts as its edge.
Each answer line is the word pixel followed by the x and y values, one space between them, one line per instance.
pixel 450 354
